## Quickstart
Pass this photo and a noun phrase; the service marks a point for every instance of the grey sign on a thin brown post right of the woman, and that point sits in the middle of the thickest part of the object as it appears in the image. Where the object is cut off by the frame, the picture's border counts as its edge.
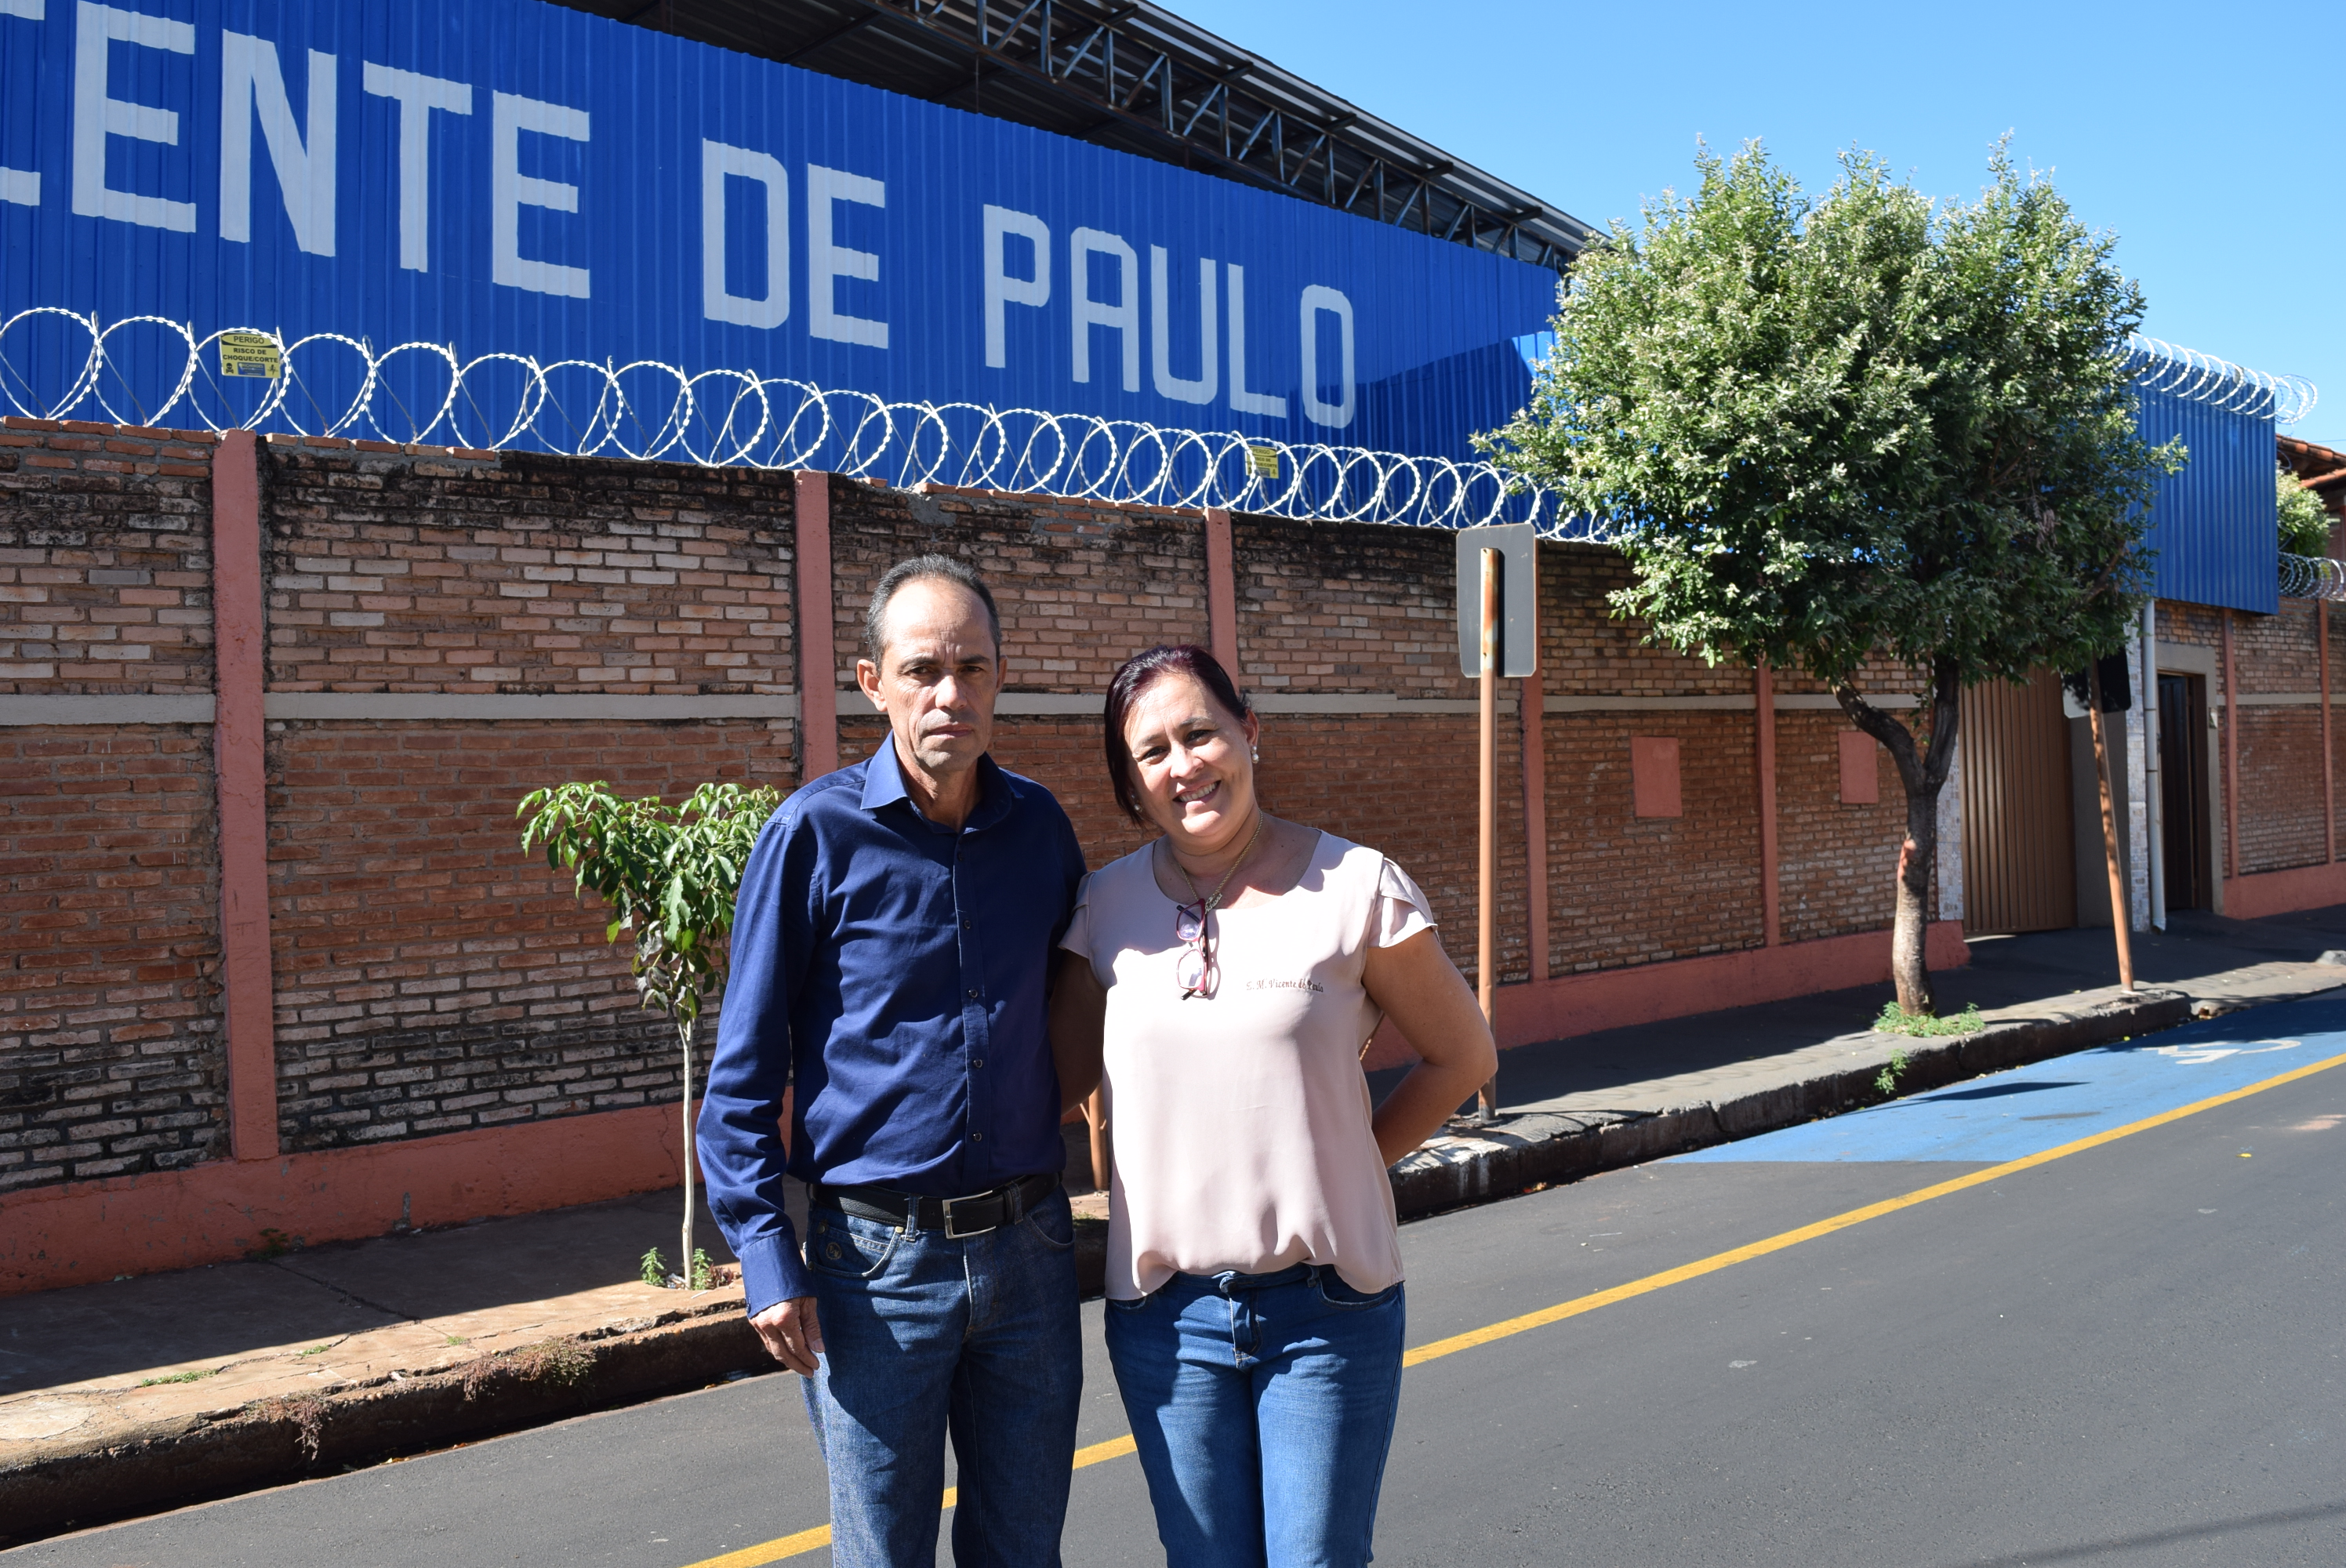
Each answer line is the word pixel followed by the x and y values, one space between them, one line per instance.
pixel 1498 637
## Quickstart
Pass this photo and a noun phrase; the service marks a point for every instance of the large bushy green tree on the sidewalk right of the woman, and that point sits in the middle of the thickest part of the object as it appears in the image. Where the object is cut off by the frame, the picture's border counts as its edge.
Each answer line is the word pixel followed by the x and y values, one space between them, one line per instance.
pixel 1857 435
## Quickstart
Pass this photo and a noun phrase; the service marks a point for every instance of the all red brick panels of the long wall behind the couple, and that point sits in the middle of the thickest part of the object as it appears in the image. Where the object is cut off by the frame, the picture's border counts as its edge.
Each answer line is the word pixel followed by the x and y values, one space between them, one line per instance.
pixel 435 980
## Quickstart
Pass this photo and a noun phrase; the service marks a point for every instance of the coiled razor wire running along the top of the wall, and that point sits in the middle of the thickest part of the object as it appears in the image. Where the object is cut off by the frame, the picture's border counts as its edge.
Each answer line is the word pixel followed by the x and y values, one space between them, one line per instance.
pixel 646 410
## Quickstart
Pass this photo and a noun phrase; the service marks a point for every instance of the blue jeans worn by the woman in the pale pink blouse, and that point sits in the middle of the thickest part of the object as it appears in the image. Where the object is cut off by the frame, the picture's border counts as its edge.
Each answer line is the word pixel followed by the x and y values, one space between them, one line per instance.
pixel 1263 1407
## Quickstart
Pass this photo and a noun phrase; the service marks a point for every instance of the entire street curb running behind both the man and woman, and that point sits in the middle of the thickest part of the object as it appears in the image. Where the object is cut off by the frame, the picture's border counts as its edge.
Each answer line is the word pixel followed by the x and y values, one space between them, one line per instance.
pixel 273 1442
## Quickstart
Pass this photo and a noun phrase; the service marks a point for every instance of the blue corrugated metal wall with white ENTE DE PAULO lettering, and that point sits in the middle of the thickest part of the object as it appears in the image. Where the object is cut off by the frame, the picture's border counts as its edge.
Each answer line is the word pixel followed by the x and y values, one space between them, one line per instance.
pixel 513 177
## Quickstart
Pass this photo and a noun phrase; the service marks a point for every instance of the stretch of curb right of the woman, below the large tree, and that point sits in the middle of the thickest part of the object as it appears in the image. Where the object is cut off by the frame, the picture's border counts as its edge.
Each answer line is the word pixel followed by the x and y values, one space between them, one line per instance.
pixel 1540 1149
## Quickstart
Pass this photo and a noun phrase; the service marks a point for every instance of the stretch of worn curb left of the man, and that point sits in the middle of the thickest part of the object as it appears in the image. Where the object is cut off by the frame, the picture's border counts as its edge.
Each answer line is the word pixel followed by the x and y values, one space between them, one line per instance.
pixel 271 1442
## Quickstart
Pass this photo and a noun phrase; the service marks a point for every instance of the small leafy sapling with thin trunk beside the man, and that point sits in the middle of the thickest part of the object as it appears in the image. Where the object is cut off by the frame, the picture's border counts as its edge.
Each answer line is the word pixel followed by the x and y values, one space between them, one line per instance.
pixel 670 877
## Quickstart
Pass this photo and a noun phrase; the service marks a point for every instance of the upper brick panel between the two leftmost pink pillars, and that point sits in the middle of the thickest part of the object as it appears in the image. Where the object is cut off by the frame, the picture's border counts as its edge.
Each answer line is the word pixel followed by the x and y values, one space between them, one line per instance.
pixel 524 576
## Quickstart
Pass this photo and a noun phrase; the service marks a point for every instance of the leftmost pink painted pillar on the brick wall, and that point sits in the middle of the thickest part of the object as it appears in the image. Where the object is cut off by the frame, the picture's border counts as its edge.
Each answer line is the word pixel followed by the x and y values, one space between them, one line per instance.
pixel 240 769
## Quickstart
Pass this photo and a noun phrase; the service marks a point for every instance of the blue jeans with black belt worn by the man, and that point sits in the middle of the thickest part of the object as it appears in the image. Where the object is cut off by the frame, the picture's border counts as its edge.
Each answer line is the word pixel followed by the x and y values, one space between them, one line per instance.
pixel 977 1339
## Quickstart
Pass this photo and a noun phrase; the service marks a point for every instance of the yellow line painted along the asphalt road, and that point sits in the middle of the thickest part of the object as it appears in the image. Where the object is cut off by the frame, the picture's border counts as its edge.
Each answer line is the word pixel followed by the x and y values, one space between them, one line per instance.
pixel 808 1541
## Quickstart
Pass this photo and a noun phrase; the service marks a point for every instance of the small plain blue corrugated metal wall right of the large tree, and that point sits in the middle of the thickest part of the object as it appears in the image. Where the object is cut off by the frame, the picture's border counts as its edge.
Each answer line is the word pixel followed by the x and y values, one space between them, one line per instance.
pixel 2213 522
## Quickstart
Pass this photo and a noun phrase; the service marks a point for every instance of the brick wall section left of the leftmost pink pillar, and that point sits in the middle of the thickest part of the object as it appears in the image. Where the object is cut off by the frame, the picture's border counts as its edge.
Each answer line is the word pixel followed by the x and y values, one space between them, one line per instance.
pixel 109 910
